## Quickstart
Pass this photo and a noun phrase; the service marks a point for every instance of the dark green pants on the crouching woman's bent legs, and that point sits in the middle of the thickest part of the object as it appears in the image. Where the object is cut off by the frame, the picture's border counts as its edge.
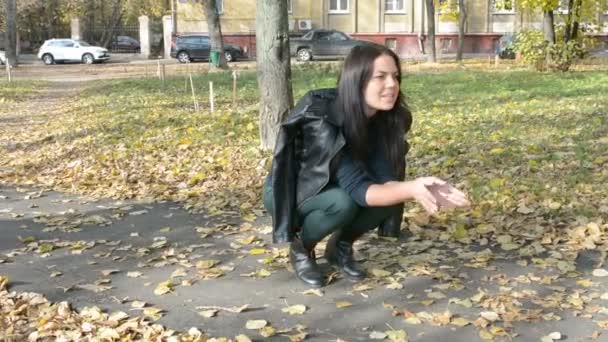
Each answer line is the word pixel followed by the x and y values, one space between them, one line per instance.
pixel 333 210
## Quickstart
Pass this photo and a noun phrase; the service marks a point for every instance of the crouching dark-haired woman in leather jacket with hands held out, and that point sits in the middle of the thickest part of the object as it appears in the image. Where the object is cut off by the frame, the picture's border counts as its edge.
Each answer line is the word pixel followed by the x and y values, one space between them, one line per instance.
pixel 339 164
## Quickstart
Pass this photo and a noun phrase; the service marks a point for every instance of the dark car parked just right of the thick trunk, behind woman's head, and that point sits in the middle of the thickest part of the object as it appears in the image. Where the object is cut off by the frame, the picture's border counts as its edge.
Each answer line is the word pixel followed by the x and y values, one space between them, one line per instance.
pixel 323 44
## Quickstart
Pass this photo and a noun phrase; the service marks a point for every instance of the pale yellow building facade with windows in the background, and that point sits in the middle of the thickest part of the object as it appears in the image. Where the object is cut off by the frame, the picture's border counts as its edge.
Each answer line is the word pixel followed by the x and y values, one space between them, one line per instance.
pixel 399 24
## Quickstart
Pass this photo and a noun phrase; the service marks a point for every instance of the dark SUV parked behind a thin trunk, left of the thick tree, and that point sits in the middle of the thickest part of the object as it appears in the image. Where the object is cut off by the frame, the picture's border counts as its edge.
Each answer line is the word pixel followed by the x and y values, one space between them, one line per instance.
pixel 188 48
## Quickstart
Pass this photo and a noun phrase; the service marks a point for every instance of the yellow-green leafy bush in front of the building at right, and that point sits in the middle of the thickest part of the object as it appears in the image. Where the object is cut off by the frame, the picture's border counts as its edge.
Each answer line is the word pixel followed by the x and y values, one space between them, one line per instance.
pixel 542 55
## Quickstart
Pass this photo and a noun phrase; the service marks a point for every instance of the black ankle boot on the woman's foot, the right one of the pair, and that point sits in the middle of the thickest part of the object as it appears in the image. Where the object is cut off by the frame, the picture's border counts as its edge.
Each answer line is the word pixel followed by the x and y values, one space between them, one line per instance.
pixel 339 253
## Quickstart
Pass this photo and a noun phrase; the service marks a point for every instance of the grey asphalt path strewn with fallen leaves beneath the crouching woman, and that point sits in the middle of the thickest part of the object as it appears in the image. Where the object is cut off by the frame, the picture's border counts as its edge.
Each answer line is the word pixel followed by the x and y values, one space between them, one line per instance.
pixel 157 239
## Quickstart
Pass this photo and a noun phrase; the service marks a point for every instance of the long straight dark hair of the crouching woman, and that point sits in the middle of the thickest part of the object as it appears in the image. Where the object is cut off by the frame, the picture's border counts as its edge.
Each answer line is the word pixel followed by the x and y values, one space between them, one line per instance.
pixel 392 125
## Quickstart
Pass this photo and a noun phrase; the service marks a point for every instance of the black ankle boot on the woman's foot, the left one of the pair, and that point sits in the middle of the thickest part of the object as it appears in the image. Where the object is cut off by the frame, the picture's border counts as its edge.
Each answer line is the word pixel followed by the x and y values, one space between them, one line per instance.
pixel 304 263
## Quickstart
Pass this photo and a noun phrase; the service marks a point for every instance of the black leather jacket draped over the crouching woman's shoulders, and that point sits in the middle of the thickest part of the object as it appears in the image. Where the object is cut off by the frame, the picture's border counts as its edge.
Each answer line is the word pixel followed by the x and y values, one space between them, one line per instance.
pixel 300 171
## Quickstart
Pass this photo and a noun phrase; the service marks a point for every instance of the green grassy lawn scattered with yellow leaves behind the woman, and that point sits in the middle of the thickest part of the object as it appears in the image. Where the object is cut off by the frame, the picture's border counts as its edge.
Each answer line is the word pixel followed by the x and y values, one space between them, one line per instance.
pixel 528 147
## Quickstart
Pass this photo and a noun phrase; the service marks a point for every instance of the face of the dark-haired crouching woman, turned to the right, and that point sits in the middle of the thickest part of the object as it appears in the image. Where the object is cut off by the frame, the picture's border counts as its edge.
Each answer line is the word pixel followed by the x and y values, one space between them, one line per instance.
pixel 382 88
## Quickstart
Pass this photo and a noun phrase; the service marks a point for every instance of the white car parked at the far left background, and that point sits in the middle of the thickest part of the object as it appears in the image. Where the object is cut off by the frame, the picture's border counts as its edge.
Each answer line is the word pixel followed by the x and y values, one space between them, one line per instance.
pixel 70 50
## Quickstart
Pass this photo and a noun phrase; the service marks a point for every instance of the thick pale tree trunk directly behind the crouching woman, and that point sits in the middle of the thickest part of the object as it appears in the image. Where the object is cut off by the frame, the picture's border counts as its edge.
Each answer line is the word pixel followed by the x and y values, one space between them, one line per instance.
pixel 274 69
